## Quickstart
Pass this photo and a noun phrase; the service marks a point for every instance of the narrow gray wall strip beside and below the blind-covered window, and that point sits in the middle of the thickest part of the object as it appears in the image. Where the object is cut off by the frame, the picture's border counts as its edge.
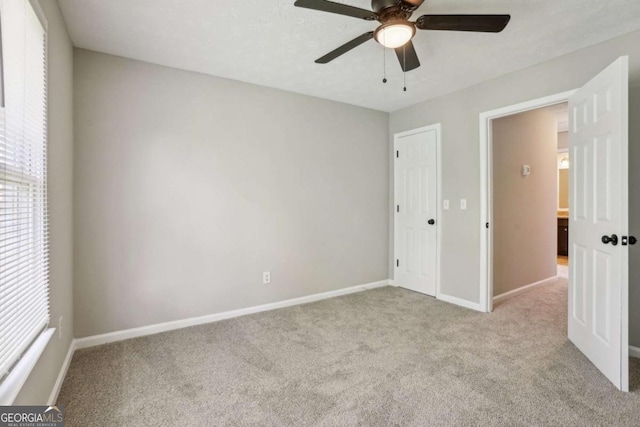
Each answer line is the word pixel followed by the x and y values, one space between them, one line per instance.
pixel 60 158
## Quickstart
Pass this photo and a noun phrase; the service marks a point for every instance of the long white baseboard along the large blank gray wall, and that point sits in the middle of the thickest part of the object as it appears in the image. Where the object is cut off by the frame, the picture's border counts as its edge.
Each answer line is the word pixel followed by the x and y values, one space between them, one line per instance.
pixel 96 340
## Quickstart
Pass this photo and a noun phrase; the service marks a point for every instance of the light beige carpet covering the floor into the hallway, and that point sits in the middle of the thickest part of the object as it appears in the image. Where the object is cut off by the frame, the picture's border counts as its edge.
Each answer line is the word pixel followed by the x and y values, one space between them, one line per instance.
pixel 382 357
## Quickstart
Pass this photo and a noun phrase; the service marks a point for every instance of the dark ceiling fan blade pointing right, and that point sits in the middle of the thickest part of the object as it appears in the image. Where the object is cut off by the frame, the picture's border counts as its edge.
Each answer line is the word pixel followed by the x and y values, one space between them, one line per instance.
pixel 478 23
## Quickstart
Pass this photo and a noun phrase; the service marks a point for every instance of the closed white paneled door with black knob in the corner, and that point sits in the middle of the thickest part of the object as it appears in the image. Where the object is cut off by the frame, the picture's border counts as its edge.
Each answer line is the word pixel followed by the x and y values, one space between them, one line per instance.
pixel 416 208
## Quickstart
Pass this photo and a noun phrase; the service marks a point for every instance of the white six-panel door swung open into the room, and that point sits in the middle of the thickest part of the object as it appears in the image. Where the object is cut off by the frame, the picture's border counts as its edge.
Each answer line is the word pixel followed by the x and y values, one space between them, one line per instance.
pixel 598 251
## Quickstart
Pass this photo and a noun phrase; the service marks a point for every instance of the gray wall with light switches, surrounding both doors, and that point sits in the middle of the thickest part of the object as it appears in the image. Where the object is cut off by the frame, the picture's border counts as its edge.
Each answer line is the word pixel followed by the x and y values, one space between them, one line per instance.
pixel 458 112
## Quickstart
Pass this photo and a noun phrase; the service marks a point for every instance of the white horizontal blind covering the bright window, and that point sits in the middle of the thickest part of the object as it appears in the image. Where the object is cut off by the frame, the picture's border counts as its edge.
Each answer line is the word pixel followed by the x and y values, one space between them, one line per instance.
pixel 24 265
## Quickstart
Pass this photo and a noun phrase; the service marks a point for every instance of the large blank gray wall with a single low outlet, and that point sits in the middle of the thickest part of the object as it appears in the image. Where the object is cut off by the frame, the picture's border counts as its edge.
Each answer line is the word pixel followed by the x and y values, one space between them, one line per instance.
pixel 187 187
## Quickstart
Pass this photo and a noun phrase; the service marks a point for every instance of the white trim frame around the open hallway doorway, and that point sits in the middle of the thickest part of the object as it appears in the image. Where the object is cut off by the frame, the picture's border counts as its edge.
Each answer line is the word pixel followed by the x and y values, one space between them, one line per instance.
pixel 486 186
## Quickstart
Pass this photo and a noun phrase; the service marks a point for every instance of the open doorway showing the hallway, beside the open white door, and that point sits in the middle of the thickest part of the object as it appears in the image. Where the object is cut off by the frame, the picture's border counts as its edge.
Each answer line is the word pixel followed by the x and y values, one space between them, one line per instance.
pixel 530 204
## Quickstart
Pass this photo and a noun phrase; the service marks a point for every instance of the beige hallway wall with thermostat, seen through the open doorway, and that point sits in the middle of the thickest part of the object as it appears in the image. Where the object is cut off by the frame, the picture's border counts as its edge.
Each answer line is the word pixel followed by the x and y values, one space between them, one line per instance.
pixel 524 207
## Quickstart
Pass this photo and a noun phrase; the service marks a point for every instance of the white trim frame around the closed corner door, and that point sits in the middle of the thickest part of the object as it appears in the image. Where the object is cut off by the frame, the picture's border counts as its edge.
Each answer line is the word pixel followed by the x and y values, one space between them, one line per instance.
pixel 438 128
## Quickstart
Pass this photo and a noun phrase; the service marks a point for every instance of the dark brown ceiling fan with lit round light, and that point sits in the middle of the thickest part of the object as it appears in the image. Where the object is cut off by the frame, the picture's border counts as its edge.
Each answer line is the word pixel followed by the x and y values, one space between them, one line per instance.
pixel 396 31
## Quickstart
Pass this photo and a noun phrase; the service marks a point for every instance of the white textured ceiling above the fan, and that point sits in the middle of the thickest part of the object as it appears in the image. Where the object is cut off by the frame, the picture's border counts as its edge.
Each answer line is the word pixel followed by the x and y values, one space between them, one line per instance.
pixel 272 43
